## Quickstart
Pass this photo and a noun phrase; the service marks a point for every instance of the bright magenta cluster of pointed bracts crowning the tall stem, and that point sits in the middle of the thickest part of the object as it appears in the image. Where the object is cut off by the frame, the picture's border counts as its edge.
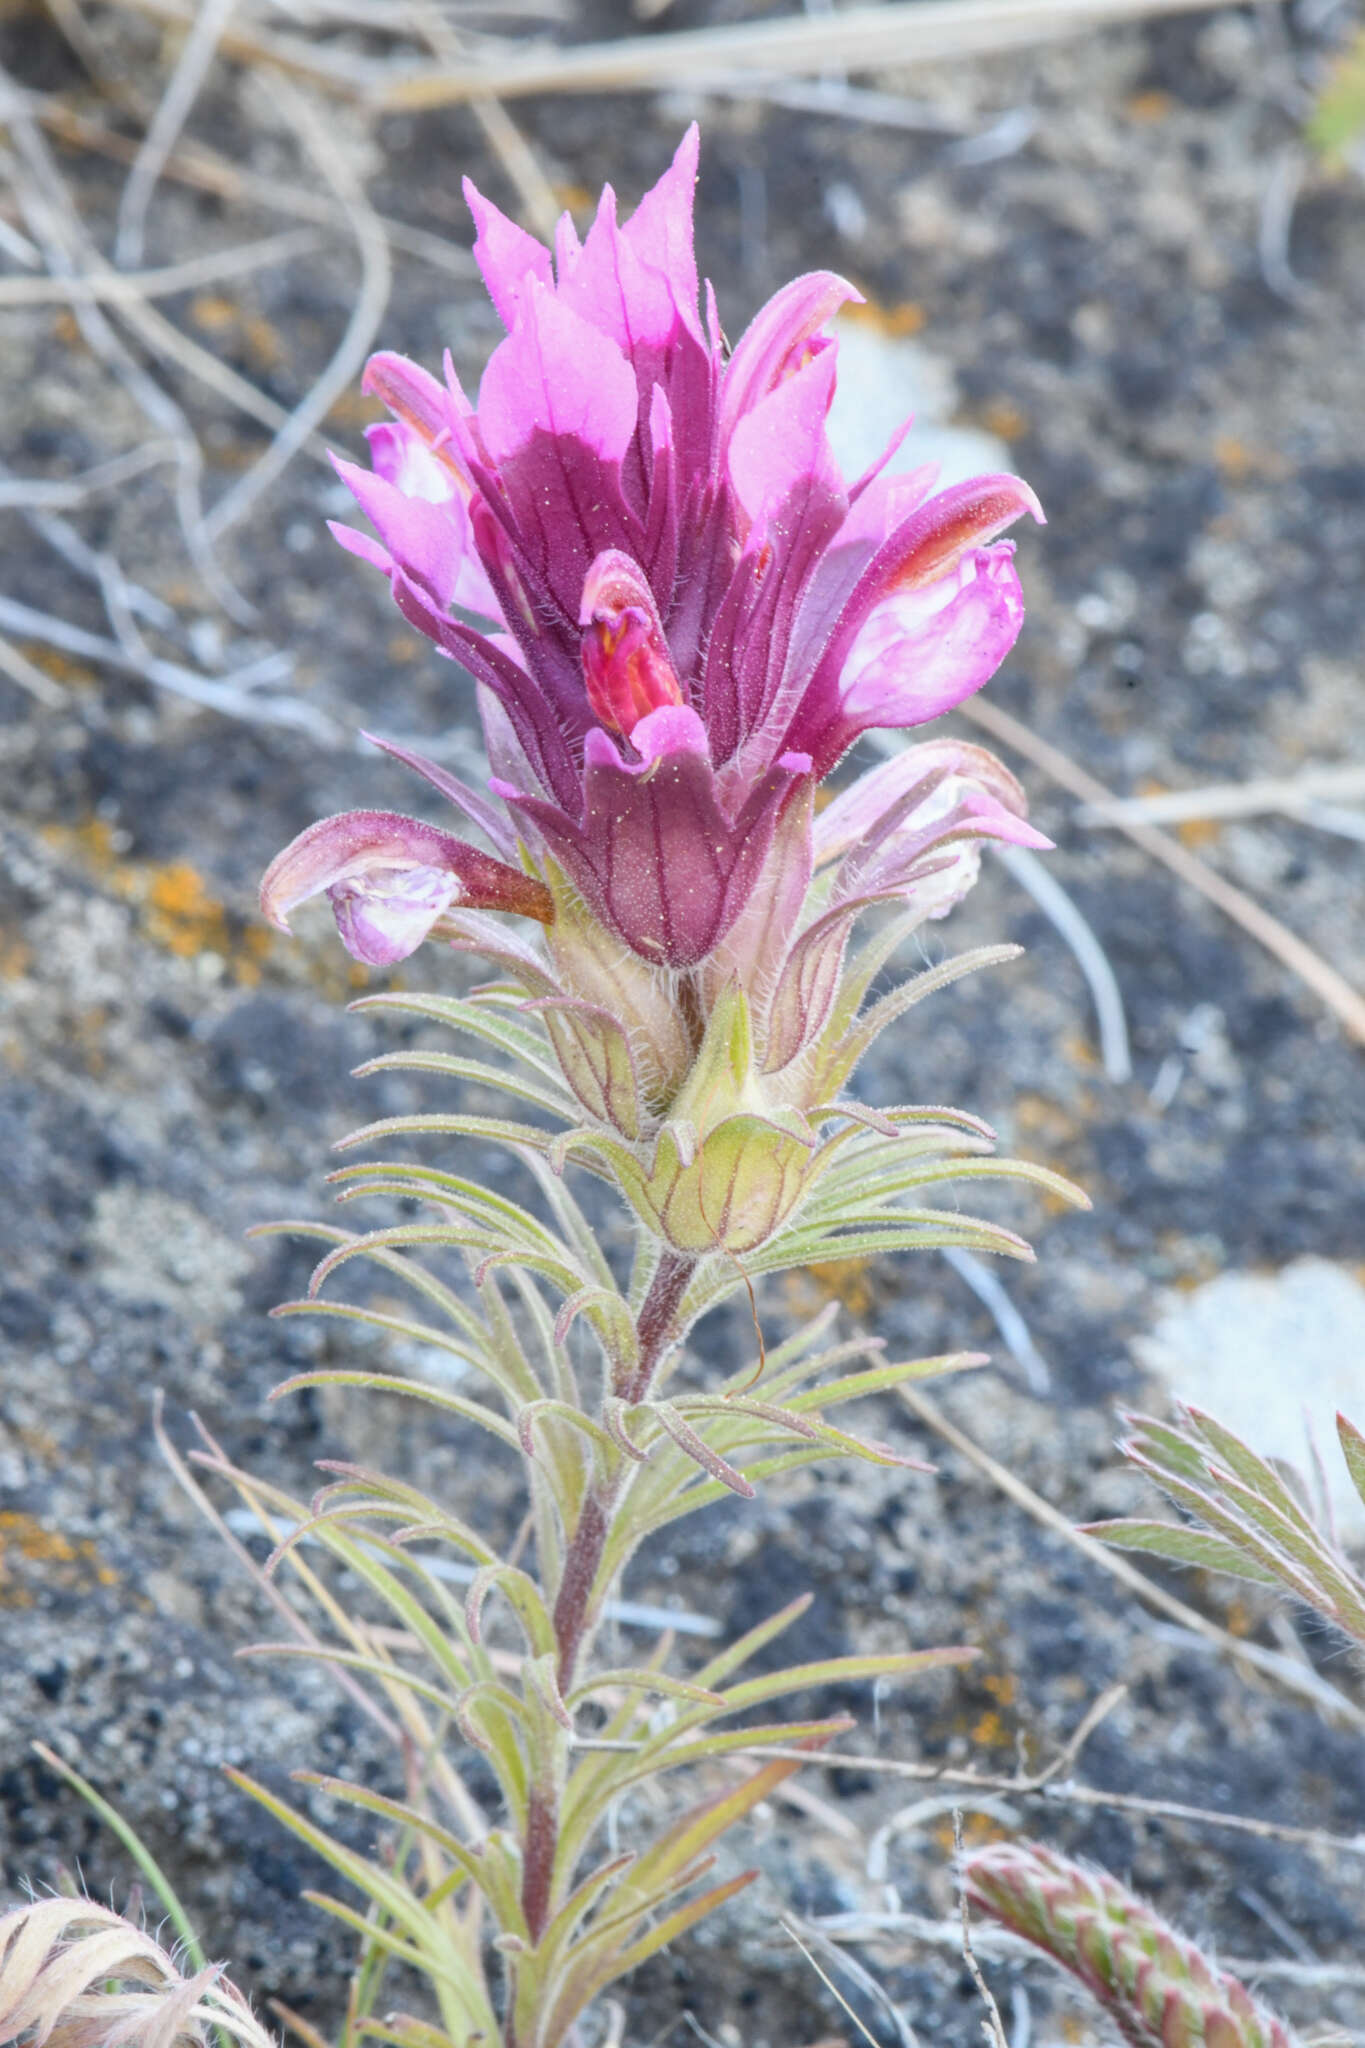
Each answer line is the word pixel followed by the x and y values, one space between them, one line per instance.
pixel 689 613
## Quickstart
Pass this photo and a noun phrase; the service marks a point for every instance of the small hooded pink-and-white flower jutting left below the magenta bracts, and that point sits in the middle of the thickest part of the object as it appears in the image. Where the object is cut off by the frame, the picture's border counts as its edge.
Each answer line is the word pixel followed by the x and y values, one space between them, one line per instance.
pixel 390 880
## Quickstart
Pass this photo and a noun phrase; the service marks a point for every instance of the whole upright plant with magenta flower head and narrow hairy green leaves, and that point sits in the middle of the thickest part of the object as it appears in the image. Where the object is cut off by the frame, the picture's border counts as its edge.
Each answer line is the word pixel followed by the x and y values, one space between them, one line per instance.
pixel 678 617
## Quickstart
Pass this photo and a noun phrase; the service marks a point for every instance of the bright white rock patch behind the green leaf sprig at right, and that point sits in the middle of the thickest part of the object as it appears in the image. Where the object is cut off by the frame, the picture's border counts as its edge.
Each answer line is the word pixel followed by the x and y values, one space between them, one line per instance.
pixel 1274 1357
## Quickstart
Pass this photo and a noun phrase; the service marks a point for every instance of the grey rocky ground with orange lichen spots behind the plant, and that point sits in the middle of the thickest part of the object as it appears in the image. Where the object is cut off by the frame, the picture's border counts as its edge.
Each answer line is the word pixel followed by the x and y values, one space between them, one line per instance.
pixel 173 1074
